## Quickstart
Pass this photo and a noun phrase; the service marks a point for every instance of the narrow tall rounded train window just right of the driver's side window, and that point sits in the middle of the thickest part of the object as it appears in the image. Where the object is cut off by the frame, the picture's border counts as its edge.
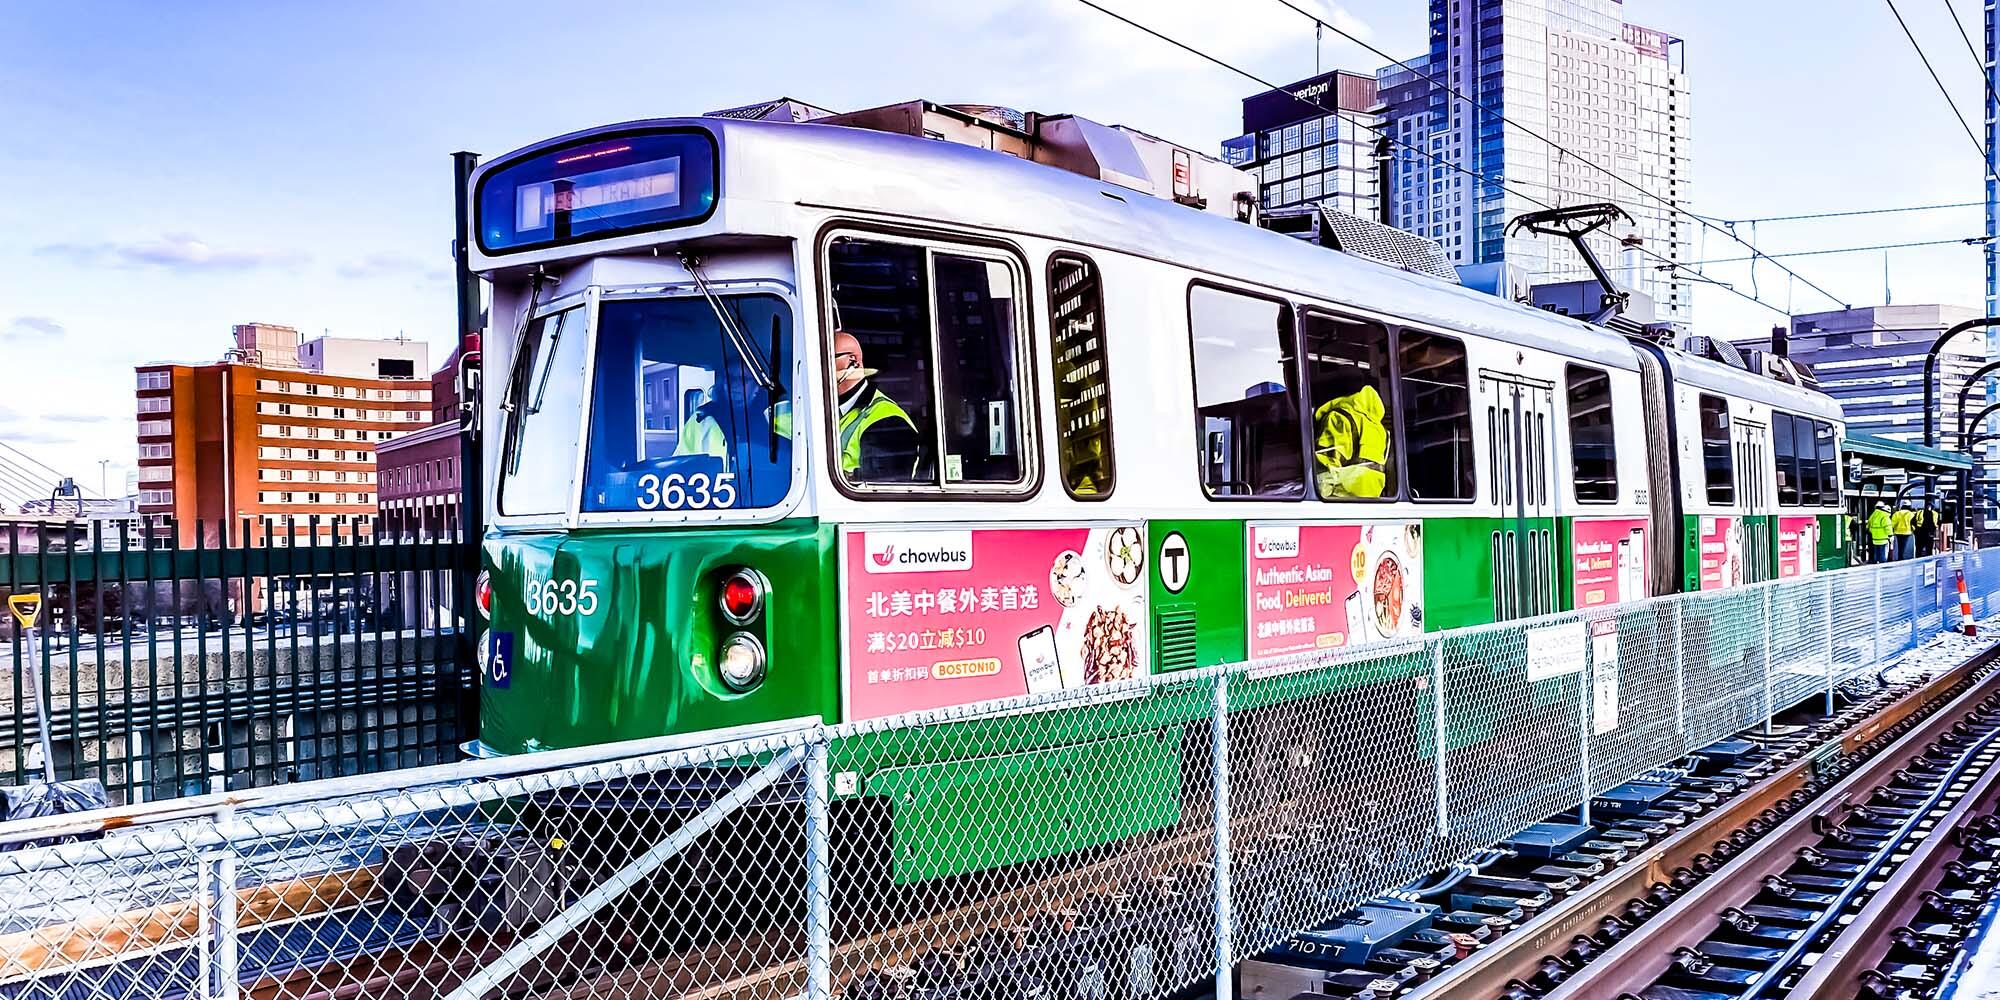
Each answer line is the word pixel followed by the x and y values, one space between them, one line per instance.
pixel 1083 377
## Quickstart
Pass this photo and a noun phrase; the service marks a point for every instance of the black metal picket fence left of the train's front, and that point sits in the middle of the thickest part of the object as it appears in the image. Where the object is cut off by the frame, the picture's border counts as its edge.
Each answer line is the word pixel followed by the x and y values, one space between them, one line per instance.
pixel 181 659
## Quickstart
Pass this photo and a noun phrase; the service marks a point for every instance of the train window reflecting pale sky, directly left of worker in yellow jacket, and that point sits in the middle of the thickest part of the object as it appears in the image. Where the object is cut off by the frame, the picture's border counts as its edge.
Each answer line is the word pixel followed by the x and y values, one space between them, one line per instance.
pixel 1245 401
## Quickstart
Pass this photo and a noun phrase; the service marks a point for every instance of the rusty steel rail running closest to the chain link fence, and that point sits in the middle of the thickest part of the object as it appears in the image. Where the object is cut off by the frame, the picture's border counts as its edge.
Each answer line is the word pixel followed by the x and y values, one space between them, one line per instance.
pixel 1521 953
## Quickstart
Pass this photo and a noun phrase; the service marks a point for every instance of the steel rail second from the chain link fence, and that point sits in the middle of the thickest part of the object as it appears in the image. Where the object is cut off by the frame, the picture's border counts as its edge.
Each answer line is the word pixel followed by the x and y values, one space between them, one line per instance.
pixel 1647 955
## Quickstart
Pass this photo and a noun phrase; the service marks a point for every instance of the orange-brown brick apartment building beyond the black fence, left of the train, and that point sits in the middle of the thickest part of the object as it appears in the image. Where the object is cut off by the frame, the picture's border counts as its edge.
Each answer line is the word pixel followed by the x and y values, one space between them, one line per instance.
pixel 277 433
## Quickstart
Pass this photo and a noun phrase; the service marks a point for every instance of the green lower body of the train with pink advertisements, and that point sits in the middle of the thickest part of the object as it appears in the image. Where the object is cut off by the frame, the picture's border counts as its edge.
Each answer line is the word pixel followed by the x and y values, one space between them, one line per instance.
pixel 613 635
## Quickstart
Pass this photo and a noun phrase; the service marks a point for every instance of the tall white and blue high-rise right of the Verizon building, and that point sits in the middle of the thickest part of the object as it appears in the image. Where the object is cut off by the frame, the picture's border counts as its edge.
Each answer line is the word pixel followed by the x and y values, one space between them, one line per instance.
pixel 1575 73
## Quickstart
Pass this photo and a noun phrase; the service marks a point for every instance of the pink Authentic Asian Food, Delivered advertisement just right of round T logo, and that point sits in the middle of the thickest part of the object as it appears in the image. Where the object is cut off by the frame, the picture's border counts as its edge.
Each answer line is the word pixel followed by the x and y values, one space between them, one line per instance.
pixel 1321 587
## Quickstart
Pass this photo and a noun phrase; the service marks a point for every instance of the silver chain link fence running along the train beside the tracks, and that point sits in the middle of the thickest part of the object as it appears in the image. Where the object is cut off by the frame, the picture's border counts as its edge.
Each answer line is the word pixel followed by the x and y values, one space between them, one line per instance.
pixel 1123 841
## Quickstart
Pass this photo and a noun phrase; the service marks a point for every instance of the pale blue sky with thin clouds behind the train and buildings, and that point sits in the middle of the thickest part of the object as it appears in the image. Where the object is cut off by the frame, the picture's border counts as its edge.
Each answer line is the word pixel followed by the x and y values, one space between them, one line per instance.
pixel 175 169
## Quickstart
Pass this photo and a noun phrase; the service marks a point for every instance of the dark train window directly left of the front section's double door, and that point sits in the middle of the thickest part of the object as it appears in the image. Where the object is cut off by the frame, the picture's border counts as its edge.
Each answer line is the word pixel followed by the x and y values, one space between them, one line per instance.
pixel 1437 417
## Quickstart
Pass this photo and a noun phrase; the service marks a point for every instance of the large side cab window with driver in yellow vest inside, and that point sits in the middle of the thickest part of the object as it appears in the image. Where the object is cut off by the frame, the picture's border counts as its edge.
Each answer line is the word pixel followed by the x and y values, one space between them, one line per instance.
pixel 925 361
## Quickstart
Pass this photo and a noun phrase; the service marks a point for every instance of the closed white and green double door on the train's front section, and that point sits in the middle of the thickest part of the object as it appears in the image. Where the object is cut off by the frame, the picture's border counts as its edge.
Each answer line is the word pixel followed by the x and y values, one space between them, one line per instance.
pixel 1519 417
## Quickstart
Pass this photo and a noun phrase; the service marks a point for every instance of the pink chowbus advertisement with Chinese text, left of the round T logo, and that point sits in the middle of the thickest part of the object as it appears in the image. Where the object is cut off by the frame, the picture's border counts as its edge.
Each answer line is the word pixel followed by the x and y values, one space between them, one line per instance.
pixel 955 617
